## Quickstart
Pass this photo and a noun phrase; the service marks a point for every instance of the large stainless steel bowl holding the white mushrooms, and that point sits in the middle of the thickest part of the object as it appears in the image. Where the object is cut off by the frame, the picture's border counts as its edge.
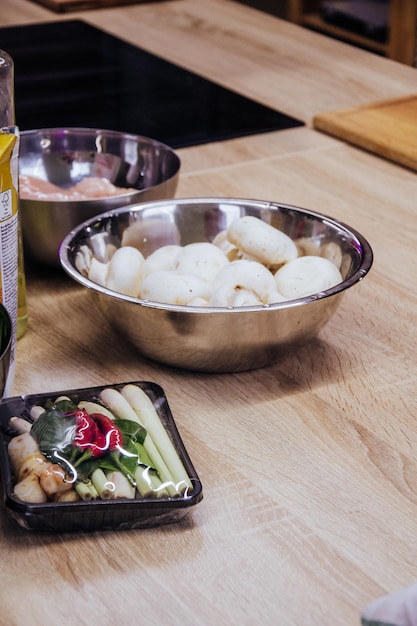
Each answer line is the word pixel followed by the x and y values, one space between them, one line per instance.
pixel 216 339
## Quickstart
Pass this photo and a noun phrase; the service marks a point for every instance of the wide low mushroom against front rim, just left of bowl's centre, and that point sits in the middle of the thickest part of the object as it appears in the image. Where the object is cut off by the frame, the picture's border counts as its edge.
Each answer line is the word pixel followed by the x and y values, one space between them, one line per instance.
pixel 172 287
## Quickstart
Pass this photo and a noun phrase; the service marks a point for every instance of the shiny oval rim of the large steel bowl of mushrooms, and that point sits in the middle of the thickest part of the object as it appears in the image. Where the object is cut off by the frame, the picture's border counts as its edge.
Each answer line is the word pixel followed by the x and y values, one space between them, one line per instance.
pixel 357 276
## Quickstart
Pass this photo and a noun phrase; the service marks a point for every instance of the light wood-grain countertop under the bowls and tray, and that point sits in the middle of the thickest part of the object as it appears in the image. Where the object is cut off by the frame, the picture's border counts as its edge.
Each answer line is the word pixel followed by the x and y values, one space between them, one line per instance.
pixel 309 467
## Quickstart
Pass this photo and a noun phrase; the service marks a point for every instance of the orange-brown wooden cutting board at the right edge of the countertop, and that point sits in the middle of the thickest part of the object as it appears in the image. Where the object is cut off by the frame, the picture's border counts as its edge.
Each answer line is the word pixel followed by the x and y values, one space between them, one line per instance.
pixel 387 128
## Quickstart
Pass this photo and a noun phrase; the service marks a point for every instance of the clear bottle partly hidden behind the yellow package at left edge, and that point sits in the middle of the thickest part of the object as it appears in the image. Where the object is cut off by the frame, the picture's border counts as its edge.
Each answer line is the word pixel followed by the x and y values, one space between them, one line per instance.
pixel 7 119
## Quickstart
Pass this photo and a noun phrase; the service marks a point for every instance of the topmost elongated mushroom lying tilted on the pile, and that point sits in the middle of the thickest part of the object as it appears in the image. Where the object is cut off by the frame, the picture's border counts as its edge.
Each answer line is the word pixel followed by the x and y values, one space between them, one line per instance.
pixel 261 241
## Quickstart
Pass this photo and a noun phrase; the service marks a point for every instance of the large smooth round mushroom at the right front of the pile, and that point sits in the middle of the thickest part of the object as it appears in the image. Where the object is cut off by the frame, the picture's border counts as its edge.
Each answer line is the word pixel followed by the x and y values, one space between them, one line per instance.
pixel 306 276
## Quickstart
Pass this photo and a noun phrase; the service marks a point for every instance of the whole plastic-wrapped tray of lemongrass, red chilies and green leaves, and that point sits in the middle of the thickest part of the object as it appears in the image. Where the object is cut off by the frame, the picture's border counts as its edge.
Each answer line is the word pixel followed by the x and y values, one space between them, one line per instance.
pixel 95 458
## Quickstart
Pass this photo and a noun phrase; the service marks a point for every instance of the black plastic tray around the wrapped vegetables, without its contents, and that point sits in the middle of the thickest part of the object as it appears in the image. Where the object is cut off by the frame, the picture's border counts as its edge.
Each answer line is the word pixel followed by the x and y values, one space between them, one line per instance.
pixel 97 514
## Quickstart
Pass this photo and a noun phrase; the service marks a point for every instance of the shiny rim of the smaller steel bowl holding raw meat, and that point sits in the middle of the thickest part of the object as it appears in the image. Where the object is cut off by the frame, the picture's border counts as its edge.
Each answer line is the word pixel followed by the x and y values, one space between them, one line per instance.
pixel 67 130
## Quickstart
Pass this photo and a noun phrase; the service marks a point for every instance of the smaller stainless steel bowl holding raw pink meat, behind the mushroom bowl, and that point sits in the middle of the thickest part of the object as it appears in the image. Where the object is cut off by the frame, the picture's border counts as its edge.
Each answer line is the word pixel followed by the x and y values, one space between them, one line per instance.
pixel 64 156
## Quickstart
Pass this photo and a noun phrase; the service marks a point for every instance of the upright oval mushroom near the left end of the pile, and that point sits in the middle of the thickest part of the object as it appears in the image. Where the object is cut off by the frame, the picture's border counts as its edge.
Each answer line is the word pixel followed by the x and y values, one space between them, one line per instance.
pixel 125 272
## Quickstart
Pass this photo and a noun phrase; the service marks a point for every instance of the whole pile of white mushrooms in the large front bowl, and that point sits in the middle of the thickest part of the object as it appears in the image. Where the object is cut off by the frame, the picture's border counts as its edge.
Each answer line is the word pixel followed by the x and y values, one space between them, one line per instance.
pixel 251 263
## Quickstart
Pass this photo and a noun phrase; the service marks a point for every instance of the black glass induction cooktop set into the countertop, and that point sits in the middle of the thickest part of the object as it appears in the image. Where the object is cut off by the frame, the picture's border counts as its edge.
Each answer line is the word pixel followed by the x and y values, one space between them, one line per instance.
pixel 69 73
